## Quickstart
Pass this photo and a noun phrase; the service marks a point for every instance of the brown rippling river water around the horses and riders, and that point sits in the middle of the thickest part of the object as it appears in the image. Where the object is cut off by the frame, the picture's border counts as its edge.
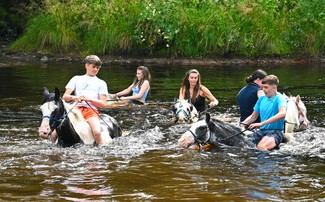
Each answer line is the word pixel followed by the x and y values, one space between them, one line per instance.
pixel 146 164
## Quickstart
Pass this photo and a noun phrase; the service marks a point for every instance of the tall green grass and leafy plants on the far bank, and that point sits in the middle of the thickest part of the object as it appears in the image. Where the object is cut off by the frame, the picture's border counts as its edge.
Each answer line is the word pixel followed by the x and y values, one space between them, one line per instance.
pixel 178 28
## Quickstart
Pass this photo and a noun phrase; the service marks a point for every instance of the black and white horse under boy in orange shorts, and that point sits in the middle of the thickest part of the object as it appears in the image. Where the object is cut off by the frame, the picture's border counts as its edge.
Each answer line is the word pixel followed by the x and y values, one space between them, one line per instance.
pixel 69 123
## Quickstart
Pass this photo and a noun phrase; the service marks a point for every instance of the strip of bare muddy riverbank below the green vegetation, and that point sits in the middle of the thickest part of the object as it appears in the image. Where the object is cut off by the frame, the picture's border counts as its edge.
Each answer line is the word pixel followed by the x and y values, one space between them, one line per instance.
pixel 23 58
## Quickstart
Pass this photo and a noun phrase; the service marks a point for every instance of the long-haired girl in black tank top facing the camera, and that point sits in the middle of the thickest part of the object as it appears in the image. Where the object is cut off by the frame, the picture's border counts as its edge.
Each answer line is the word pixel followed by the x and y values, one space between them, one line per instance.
pixel 194 91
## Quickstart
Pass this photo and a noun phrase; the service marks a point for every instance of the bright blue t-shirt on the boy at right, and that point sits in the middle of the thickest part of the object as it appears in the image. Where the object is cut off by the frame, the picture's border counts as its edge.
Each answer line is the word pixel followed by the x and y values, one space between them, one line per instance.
pixel 268 107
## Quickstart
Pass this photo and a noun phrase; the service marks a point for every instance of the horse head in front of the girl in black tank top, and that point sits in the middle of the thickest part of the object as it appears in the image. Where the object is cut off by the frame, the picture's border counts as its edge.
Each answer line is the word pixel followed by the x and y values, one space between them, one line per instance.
pixel 184 112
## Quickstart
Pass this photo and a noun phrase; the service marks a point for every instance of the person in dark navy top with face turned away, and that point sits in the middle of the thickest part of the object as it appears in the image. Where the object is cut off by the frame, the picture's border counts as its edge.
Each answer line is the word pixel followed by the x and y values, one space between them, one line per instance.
pixel 248 95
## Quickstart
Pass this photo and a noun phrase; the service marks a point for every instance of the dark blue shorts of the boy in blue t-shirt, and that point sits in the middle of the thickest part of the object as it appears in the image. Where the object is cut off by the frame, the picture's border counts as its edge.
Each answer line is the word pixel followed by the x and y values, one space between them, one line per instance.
pixel 277 134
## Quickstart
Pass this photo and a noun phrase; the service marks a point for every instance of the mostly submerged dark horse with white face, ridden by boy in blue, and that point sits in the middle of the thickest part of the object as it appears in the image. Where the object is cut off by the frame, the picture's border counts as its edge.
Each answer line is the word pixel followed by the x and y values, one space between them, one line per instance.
pixel 210 132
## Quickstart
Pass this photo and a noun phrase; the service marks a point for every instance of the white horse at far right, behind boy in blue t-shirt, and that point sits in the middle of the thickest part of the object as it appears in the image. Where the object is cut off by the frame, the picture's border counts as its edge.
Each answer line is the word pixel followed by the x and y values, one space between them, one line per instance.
pixel 296 116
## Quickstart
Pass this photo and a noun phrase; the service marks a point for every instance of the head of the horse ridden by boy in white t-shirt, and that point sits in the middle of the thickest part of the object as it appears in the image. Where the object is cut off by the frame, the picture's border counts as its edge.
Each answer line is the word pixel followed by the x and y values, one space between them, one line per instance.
pixel 52 111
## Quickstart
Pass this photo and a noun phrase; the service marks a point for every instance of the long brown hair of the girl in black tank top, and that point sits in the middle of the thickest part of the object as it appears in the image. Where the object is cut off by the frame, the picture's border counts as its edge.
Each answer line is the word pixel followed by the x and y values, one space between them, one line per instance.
pixel 186 85
